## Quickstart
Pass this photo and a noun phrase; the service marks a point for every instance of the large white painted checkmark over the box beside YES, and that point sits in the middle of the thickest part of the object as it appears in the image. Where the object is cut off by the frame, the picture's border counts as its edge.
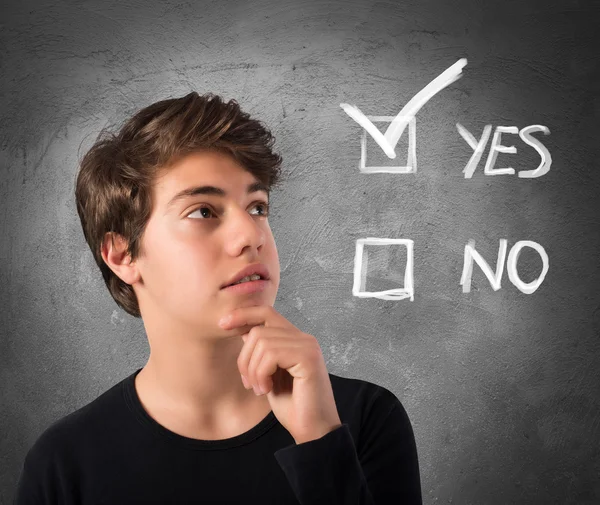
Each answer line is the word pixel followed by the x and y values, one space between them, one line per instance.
pixel 394 131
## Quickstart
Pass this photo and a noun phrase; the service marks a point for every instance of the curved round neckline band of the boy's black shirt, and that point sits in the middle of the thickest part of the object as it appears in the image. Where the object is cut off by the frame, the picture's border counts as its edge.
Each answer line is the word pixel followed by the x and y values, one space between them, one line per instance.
pixel 135 405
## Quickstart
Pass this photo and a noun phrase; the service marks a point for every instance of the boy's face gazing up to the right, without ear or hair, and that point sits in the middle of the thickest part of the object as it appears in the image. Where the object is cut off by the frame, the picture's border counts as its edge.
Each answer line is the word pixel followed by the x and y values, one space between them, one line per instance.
pixel 195 244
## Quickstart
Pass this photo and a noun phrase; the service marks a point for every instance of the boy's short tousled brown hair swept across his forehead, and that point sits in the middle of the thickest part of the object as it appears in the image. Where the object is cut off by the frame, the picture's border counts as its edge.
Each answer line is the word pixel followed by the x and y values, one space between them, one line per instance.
pixel 113 189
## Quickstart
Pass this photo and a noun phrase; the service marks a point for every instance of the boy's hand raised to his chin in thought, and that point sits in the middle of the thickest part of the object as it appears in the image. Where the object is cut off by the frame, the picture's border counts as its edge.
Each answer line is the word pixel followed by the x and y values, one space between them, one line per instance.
pixel 288 366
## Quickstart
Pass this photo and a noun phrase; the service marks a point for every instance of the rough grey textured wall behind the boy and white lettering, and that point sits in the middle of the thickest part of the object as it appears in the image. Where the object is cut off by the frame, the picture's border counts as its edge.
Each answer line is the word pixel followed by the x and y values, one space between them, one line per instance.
pixel 502 387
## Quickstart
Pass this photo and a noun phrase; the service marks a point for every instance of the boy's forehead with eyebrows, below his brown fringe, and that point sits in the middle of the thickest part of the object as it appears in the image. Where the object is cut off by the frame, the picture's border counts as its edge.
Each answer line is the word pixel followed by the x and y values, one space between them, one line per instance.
pixel 209 172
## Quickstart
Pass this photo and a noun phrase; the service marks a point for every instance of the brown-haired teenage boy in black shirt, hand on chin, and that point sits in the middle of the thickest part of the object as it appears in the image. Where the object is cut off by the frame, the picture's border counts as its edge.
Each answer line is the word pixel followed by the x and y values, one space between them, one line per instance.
pixel 175 210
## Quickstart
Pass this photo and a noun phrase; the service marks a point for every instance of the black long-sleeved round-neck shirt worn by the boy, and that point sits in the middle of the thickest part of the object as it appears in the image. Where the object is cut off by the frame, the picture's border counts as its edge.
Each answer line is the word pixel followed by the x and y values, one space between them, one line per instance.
pixel 111 452
